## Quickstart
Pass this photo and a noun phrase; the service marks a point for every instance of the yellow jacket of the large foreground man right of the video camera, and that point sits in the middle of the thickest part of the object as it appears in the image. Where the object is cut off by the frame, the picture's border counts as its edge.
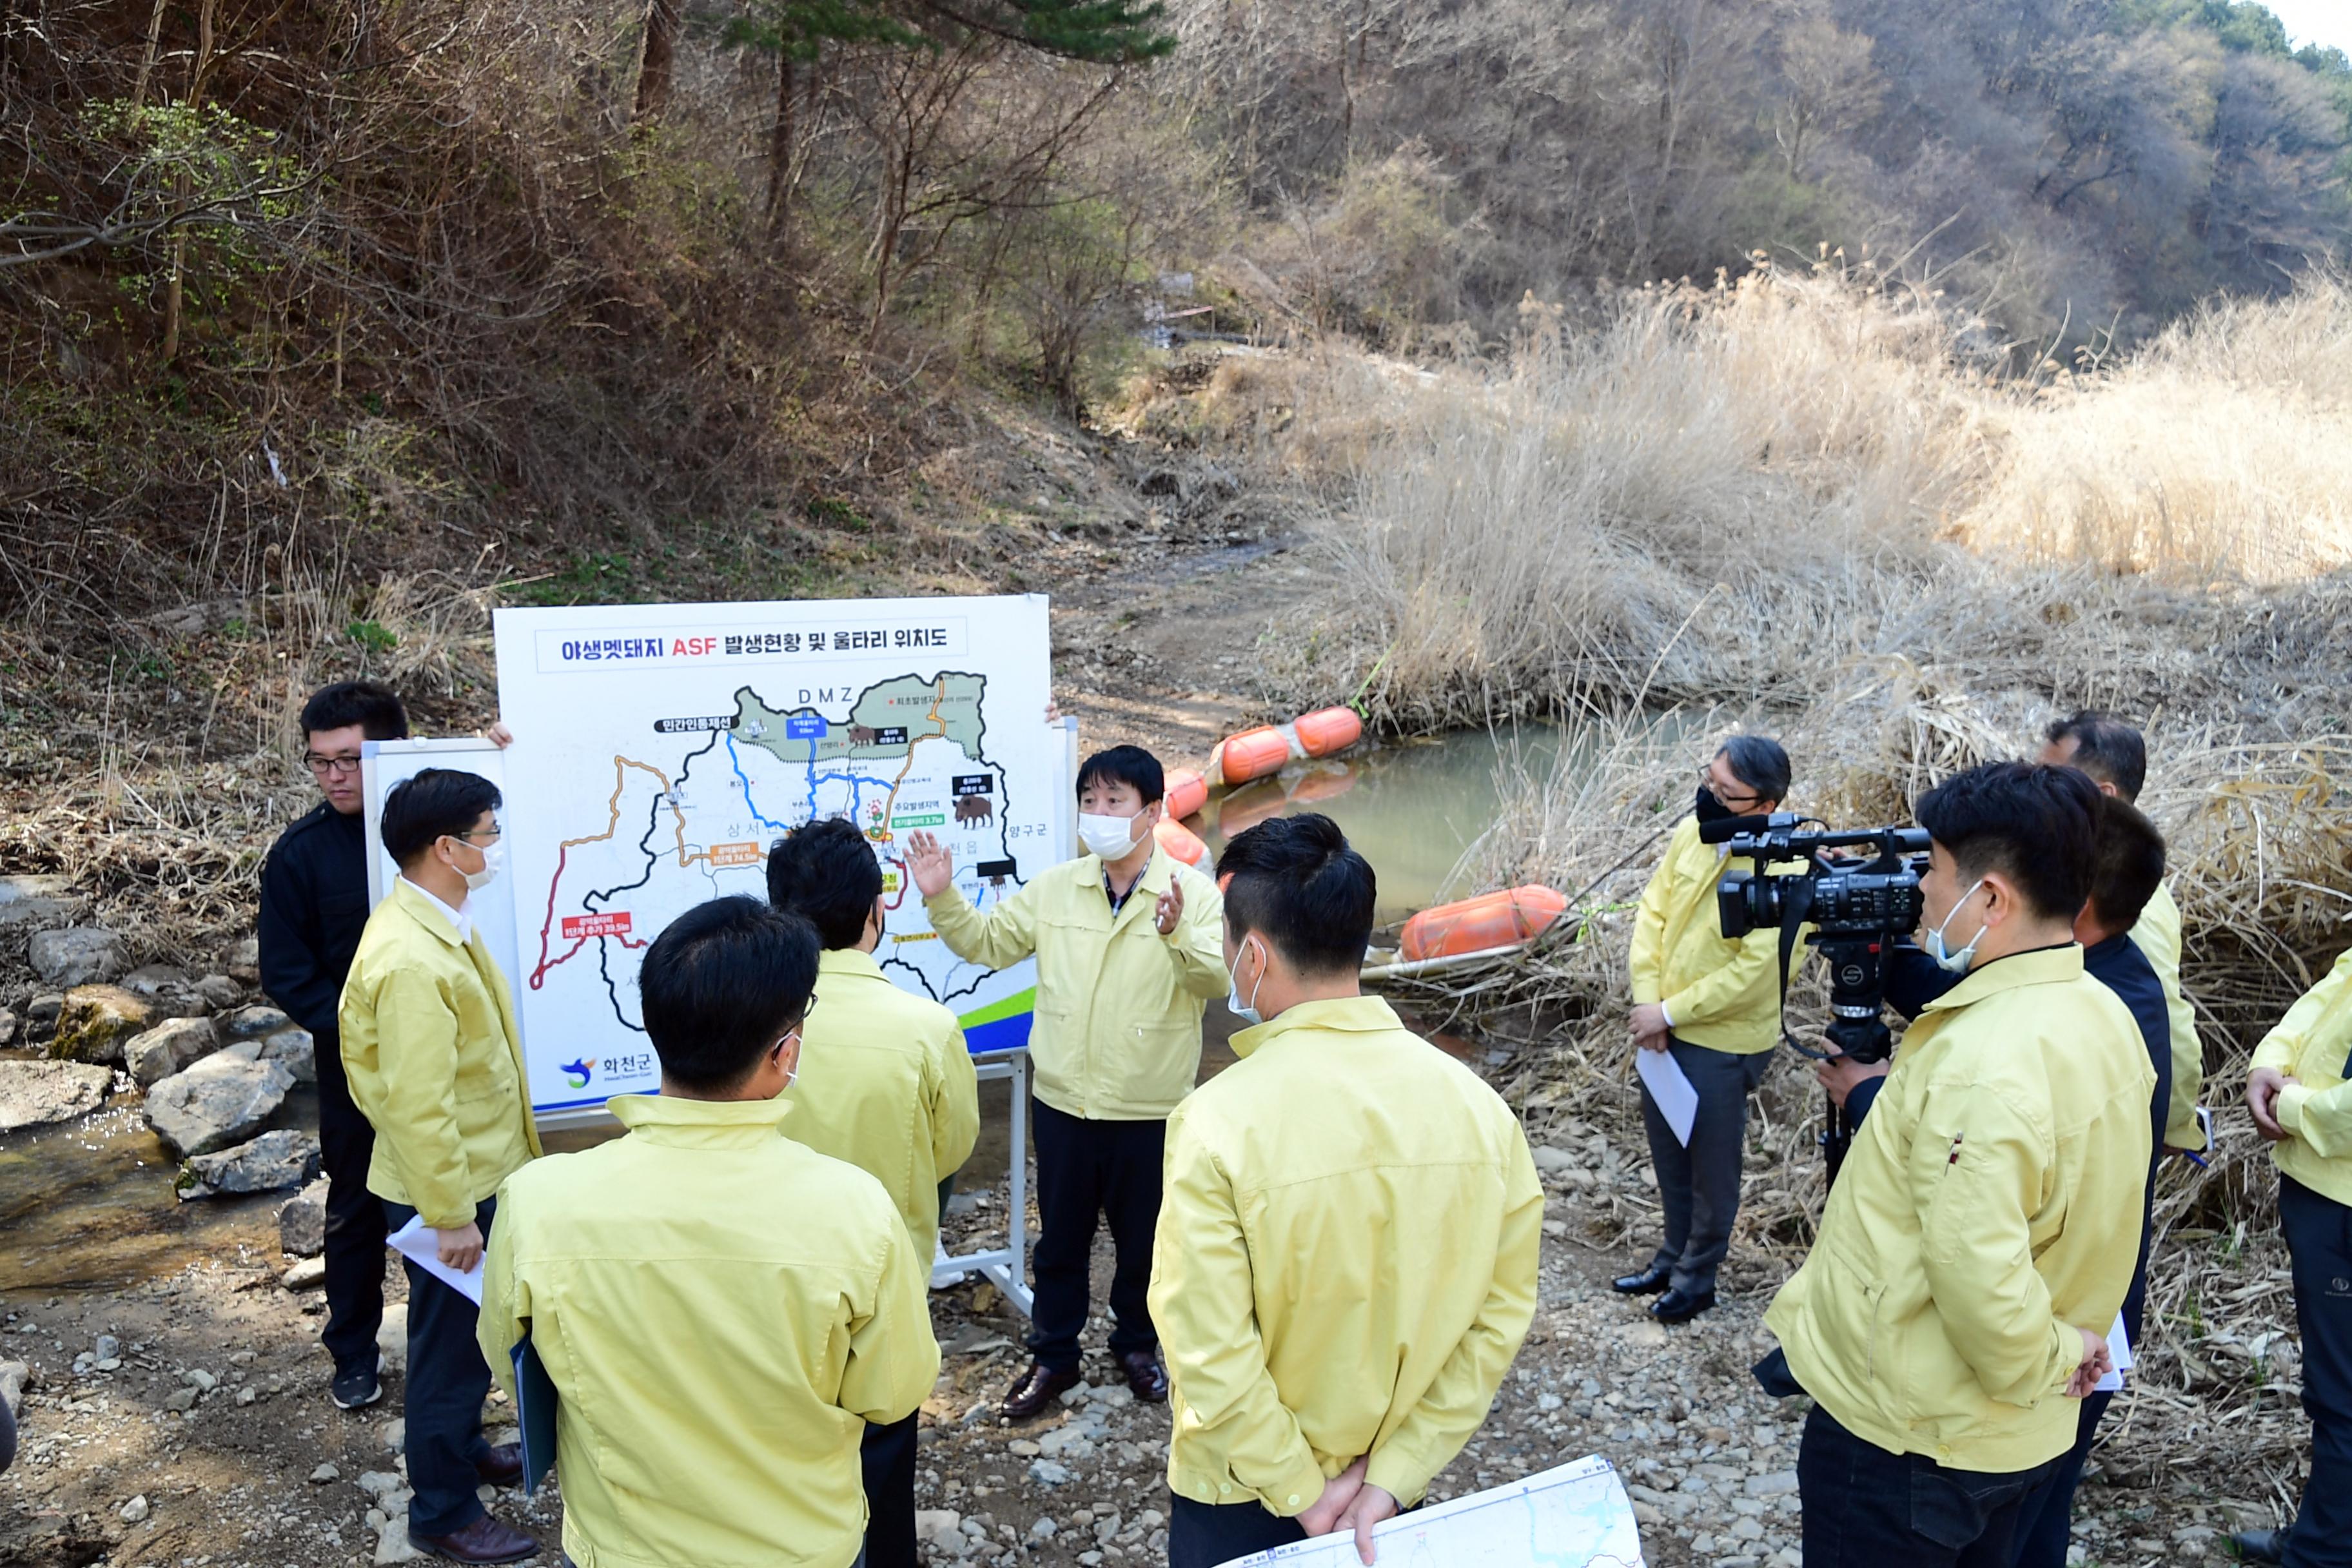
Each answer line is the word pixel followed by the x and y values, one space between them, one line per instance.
pixel 1991 1207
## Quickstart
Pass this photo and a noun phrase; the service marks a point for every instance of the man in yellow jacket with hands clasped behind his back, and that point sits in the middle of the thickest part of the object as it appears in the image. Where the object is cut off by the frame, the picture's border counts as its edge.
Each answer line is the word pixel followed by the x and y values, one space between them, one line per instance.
pixel 1347 1261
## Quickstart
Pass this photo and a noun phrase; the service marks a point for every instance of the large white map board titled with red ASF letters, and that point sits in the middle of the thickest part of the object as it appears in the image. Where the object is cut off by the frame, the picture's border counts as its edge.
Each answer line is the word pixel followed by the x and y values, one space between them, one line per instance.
pixel 662 749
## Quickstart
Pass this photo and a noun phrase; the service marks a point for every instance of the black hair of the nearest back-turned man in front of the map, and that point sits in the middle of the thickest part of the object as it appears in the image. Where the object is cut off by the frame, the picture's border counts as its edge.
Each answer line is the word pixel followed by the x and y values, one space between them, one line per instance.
pixel 721 986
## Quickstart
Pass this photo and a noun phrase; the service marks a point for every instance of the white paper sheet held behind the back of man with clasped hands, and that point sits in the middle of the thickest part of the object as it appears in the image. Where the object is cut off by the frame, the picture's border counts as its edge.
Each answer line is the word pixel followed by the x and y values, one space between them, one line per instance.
pixel 1570 1517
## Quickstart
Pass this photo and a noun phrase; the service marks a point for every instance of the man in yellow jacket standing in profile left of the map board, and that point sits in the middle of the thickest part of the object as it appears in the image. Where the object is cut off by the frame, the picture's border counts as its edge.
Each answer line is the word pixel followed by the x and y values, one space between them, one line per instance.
pixel 436 1068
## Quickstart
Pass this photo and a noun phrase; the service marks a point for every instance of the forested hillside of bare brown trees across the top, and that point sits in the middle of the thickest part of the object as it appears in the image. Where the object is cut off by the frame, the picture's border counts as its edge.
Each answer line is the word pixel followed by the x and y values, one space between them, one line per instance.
pixel 290 286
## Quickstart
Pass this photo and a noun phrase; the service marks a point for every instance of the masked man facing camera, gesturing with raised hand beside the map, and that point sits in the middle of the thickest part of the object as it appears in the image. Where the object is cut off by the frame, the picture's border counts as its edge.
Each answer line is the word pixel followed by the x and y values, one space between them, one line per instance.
pixel 1128 958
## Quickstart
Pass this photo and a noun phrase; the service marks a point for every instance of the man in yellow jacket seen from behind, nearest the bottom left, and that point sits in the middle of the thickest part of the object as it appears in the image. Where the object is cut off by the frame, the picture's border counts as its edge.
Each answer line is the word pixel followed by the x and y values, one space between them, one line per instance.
pixel 723 1313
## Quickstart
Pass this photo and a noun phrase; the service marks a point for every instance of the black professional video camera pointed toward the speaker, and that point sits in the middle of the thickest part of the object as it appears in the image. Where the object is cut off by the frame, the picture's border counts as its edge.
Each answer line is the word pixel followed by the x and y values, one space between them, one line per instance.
pixel 1855 906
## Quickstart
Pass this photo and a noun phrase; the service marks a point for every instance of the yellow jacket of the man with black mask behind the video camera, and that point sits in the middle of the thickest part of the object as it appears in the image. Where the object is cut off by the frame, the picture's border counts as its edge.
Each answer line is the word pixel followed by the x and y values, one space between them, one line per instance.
pixel 1720 993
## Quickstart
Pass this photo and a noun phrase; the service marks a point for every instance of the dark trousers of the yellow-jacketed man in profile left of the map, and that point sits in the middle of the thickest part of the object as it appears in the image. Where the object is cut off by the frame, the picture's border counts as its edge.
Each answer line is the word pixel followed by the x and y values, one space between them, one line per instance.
pixel 446 1388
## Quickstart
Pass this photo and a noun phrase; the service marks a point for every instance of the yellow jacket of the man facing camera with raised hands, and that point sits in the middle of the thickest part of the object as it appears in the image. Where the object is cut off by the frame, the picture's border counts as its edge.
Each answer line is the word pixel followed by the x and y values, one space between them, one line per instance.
pixel 1118 1005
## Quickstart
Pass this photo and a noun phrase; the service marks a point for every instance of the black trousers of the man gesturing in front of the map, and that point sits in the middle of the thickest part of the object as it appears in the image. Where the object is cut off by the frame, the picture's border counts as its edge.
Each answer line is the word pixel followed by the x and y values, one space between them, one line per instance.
pixel 1090 1170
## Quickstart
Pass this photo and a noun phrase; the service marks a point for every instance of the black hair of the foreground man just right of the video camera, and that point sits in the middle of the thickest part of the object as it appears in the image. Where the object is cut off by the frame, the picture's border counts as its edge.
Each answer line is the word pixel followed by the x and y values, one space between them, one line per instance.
pixel 2033 824
